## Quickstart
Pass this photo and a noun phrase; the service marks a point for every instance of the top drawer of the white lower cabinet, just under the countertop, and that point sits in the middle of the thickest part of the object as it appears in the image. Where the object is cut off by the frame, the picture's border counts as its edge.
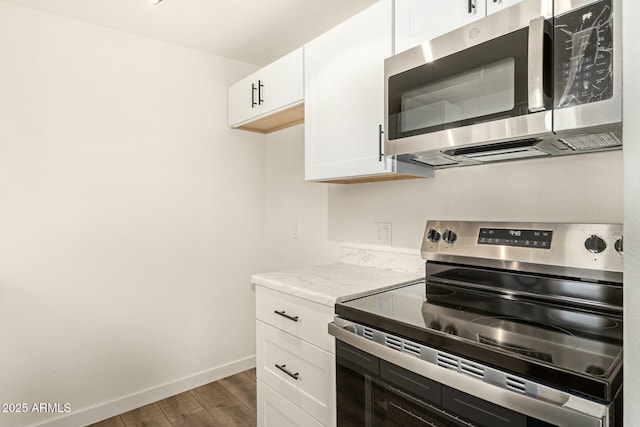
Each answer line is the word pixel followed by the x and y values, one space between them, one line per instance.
pixel 304 319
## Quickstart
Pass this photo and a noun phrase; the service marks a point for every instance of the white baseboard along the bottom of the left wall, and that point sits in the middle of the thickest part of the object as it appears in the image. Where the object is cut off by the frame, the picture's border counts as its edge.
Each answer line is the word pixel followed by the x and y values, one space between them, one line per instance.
pixel 114 407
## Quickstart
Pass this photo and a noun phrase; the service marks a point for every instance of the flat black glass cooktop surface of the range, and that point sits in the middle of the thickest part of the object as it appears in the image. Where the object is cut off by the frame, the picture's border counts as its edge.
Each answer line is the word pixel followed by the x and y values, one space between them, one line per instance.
pixel 568 348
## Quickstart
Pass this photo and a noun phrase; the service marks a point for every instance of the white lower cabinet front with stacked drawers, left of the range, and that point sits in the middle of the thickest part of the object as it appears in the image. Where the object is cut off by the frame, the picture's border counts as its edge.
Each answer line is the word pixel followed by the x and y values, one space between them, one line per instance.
pixel 296 376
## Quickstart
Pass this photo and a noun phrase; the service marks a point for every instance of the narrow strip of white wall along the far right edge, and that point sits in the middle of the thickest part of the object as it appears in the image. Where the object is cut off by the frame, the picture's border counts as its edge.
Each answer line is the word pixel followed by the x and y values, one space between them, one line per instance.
pixel 631 112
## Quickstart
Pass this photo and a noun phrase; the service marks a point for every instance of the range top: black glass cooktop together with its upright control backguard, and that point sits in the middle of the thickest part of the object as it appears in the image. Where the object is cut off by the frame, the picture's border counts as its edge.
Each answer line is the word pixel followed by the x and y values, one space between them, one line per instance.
pixel 532 299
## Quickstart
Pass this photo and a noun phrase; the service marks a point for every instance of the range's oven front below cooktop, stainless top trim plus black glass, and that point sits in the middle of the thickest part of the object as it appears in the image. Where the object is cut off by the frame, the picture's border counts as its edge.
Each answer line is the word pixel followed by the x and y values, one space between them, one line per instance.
pixel 378 385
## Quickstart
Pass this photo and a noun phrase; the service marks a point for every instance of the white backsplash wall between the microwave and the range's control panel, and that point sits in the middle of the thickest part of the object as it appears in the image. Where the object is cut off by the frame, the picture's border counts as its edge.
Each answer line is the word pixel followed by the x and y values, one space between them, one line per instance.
pixel 582 188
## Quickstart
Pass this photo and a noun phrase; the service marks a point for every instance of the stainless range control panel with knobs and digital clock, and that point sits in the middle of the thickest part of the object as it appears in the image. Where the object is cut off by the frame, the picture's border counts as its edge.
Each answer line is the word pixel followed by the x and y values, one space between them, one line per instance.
pixel 590 246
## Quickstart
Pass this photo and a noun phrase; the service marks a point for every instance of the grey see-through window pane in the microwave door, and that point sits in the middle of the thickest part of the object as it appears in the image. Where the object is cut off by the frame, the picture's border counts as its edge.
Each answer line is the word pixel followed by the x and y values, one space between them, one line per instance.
pixel 485 90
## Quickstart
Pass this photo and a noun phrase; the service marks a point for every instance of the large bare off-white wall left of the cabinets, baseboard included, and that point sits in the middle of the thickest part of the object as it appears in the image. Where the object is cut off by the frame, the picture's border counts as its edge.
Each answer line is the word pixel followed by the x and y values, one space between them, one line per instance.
pixel 128 219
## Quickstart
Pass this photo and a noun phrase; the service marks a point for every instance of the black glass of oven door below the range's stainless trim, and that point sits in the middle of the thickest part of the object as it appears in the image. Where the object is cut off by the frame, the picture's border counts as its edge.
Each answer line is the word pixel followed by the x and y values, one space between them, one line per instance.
pixel 373 392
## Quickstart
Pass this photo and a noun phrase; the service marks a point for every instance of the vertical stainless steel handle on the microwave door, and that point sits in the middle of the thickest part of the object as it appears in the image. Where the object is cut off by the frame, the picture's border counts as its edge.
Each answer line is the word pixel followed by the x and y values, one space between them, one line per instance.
pixel 536 64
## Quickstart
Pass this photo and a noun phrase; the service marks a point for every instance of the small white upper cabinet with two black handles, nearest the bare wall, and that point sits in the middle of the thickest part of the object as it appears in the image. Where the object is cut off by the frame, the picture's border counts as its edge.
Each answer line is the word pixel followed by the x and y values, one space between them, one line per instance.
pixel 271 98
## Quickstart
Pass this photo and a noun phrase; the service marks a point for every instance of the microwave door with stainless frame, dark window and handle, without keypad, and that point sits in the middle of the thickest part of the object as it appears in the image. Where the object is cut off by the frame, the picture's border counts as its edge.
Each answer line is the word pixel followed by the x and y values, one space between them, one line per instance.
pixel 489 81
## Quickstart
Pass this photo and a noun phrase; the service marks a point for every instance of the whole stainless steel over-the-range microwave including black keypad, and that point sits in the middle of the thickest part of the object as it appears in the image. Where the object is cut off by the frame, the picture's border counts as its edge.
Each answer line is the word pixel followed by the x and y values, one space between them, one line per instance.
pixel 539 78
